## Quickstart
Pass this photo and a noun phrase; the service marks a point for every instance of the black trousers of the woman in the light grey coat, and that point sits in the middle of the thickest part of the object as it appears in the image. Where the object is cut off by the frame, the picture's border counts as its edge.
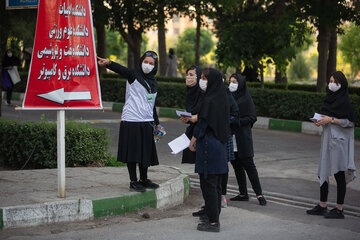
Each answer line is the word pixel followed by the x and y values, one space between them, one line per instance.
pixel 341 188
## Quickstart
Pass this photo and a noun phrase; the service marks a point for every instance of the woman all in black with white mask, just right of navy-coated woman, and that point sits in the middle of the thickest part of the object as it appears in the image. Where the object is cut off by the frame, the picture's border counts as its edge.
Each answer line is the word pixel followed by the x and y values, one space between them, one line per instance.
pixel 244 151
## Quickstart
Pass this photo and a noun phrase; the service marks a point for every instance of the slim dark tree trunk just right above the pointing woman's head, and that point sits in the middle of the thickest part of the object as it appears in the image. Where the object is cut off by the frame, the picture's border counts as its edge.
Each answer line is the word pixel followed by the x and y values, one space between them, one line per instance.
pixel 162 41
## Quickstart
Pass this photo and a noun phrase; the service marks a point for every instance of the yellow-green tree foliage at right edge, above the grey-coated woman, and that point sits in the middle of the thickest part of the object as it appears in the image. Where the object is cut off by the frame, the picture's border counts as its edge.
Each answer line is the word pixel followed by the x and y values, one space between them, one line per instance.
pixel 350 47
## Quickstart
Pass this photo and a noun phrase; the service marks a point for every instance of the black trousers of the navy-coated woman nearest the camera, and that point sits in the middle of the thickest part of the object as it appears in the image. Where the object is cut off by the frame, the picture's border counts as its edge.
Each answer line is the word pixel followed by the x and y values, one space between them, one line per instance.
pixel 211 191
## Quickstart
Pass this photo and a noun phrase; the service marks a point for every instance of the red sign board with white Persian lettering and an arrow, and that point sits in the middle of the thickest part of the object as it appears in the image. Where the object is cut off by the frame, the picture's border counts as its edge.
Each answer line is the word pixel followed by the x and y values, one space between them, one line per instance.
pixel 63 72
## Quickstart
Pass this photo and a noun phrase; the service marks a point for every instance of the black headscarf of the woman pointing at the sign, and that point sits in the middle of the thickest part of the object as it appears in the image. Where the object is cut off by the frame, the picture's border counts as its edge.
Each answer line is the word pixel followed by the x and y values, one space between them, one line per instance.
pixel 150 77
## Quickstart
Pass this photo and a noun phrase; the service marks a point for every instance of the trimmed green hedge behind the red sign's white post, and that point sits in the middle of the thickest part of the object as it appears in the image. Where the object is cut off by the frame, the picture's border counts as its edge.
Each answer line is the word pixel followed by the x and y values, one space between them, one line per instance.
pixel 85 145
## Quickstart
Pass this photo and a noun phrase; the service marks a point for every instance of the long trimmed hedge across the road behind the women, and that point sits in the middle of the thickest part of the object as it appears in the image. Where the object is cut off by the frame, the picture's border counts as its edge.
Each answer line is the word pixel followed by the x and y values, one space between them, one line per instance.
pixel 270 102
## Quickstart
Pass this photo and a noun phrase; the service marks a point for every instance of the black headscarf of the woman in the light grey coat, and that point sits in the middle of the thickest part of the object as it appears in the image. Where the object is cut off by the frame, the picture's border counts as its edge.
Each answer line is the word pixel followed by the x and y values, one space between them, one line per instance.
pixel 337 104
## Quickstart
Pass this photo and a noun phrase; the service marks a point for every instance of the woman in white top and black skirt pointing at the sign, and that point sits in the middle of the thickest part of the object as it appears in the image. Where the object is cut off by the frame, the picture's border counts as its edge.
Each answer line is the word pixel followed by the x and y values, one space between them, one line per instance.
pixel 139 119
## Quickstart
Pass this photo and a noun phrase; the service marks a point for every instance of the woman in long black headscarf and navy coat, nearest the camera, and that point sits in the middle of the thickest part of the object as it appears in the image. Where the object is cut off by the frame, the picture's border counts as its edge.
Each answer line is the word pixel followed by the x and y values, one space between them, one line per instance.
pixel 209 141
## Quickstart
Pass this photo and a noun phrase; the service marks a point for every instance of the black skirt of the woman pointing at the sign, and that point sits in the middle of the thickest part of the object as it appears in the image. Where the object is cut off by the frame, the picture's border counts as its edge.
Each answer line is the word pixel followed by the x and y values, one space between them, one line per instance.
pixel 136 144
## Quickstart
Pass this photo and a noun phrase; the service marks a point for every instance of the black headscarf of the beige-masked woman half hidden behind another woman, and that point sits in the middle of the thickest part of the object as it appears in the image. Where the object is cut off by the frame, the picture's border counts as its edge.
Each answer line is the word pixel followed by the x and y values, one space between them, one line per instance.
pixel 194 93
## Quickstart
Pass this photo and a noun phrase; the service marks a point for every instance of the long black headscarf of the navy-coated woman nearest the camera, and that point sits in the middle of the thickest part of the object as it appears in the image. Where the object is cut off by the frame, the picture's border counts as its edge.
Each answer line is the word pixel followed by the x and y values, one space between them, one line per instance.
pixel 215 107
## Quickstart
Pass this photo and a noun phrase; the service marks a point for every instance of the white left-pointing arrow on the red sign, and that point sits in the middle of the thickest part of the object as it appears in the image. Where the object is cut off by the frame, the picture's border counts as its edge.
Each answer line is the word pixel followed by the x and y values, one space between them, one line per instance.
pixel 60 96
